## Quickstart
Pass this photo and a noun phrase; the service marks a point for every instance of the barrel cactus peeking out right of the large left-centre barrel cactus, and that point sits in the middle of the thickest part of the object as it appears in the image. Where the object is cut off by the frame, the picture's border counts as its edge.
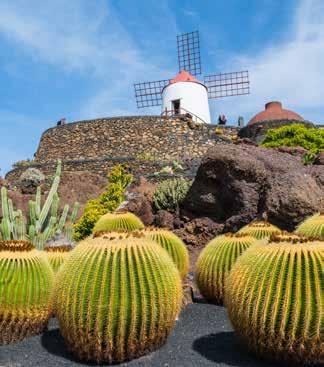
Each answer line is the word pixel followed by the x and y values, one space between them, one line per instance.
pixel 173 245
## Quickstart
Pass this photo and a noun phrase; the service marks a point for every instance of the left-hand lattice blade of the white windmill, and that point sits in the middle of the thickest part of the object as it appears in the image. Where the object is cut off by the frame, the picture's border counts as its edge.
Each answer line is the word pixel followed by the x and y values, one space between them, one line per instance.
pixel 149 94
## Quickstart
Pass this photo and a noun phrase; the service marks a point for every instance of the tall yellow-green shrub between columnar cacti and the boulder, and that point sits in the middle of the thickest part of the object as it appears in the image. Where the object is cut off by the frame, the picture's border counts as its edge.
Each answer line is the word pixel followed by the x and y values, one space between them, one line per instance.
pixel 118 180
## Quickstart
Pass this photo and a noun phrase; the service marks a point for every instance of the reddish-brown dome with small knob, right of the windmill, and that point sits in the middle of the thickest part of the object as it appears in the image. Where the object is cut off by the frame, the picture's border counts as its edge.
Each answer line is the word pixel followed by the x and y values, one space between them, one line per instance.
pixel 274 111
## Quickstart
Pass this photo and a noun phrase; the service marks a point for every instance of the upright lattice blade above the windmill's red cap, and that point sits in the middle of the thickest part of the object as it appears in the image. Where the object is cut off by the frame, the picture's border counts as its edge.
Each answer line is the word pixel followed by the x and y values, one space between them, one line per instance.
pixel 189 52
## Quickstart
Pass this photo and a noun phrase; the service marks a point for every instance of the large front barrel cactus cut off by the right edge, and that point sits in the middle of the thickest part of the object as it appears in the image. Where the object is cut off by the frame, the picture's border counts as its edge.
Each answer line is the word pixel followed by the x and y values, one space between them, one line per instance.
pixel 274 298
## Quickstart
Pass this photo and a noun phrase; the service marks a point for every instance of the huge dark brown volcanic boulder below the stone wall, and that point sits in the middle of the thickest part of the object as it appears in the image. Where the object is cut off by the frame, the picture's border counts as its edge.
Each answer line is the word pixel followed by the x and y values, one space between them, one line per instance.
pixel 238 183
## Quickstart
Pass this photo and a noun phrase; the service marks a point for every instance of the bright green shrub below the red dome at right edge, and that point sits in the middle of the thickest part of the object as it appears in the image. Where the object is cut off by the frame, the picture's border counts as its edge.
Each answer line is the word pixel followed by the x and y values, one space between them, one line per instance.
pixel 295 135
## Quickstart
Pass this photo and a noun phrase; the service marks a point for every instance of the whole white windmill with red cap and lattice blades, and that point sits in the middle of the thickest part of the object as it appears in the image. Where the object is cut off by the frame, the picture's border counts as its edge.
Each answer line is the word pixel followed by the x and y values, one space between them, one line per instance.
pixel 184 94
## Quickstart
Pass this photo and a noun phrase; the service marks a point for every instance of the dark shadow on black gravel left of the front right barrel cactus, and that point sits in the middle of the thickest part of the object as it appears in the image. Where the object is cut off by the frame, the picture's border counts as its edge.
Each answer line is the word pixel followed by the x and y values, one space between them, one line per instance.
pixel 223 348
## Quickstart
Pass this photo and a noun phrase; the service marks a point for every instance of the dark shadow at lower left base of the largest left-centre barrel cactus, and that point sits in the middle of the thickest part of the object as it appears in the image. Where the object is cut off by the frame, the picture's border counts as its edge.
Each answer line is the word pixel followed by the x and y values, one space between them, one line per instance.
pixel 53 342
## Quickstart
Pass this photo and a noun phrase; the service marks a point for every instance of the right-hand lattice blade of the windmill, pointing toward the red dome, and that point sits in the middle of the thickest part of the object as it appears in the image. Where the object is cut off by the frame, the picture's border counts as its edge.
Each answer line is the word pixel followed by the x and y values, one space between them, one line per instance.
pixel 227 84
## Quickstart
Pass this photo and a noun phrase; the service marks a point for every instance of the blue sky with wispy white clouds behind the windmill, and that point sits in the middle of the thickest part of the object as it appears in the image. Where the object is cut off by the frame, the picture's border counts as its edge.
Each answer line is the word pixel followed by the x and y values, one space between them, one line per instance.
pixel 79 59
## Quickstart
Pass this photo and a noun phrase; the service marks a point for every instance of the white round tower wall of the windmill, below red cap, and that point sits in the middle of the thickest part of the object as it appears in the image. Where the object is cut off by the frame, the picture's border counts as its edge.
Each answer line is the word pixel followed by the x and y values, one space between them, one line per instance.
pixel 193 98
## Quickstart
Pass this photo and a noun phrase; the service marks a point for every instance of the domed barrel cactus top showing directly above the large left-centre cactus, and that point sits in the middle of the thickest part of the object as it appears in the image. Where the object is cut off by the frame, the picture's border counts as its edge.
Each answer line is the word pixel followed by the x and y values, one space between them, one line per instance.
pixel 124 221
